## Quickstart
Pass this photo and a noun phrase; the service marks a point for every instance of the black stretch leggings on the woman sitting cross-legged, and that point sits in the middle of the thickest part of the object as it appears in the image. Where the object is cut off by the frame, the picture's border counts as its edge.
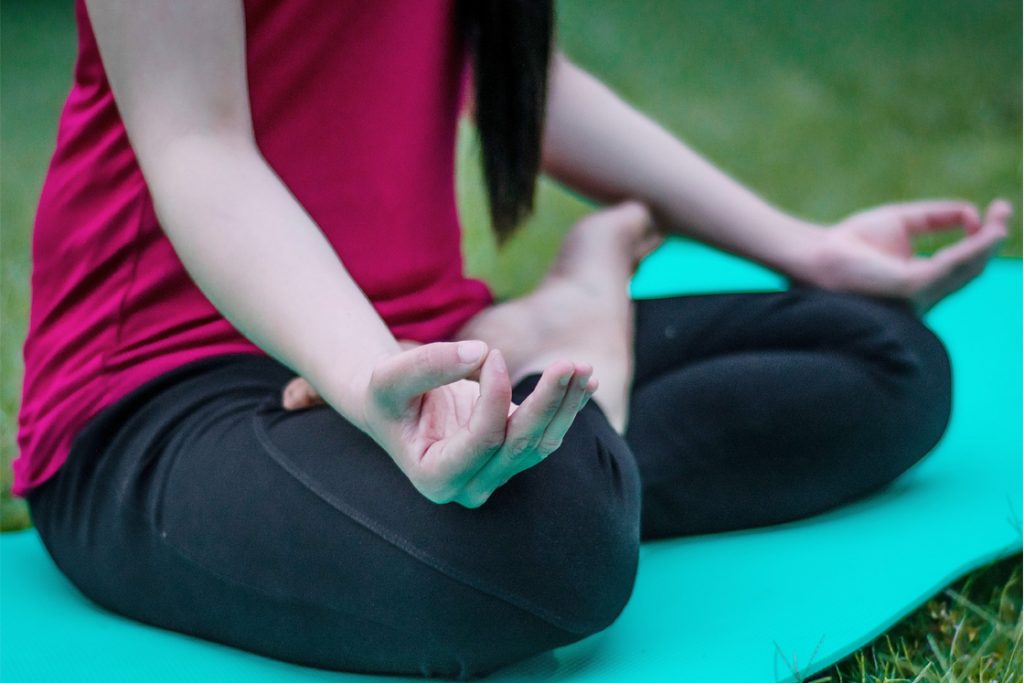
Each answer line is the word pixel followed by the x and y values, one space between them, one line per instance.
pixel 199 505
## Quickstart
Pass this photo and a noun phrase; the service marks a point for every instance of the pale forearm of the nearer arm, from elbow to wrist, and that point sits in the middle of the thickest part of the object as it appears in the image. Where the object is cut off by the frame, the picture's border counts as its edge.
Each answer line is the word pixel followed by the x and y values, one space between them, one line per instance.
pixel 267 267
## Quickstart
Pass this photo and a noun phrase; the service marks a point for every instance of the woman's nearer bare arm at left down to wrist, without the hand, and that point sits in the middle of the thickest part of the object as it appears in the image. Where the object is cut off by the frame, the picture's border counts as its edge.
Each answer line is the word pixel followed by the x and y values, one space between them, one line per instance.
pixel 179 74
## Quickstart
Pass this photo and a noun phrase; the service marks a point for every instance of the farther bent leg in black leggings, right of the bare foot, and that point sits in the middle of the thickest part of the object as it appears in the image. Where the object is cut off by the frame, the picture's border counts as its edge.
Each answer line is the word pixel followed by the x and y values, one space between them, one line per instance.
pixel 755 409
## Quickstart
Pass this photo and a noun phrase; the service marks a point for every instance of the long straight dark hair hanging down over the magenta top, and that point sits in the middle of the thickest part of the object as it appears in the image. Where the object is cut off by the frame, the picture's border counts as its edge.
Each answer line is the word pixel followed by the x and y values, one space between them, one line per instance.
pixel 510 47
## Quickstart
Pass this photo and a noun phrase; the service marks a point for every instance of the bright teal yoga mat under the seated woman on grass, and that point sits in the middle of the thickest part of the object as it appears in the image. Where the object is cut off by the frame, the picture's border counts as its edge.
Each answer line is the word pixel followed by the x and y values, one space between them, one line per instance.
pixel 759 607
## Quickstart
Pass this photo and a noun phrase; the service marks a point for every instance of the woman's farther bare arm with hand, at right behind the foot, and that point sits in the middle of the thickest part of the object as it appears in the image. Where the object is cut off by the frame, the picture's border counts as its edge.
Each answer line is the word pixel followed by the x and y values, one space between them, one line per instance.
pixel 605 149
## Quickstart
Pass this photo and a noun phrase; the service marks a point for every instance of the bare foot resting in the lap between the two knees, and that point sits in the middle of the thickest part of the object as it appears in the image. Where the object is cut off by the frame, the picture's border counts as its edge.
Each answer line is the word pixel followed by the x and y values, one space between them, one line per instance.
pixel 582 311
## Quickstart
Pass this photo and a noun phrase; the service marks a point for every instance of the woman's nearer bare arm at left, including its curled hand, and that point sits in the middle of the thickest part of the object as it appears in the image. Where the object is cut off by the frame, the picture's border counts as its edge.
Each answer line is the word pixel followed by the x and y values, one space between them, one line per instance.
pixel 179 74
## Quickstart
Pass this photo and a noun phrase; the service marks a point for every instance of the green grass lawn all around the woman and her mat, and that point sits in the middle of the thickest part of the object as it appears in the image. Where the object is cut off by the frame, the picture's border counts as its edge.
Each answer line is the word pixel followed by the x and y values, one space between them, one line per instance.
pixel 824 108
